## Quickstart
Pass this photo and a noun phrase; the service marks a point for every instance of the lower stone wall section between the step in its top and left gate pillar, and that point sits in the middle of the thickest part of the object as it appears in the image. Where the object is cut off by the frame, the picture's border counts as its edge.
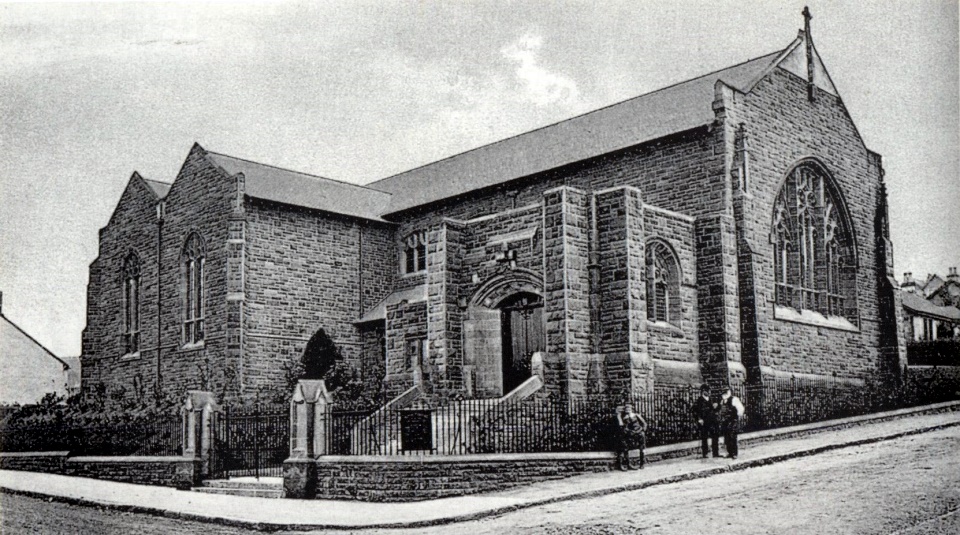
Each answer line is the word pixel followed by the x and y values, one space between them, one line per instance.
pixel 178 472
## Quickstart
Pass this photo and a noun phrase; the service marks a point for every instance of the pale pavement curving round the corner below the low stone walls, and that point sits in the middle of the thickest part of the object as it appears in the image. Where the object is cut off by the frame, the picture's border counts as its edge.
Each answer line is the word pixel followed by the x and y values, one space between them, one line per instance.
pixel 757 449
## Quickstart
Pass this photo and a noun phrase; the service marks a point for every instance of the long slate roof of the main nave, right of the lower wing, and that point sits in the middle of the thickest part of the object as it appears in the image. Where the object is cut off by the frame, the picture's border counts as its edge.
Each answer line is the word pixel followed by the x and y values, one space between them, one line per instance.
pixel 644 118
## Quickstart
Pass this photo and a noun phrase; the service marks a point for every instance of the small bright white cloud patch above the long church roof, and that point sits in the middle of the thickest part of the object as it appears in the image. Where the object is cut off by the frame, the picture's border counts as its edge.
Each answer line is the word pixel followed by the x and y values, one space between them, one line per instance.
pixel 542 86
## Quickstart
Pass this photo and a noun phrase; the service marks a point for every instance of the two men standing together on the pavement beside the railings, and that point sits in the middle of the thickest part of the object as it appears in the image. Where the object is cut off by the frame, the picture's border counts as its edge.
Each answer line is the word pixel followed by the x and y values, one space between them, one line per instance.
pixel 715 416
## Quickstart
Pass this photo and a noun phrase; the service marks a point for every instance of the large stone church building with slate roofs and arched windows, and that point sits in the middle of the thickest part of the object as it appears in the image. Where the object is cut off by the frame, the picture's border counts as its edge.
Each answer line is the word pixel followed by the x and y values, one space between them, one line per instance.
pixel 729 229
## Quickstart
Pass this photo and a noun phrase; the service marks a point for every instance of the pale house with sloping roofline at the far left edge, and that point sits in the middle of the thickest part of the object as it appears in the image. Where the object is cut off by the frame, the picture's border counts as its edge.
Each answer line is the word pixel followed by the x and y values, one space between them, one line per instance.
pixel 30 370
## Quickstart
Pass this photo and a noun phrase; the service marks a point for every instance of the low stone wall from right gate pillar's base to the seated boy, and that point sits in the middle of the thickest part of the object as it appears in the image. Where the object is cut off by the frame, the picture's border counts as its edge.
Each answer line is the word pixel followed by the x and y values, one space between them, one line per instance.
pixel 397 478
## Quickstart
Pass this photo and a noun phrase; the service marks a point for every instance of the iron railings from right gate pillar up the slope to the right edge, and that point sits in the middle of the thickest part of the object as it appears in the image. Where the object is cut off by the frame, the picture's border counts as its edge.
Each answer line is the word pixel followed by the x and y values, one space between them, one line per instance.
pixel 546 424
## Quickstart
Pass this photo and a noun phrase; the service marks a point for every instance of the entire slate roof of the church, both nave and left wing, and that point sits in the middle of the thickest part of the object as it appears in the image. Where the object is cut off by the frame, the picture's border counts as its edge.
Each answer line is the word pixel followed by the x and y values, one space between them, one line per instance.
pixel 671 110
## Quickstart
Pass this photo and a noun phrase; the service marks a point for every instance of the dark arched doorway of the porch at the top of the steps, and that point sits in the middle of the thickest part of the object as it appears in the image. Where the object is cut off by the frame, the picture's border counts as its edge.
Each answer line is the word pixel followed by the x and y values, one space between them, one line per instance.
pixel 522 335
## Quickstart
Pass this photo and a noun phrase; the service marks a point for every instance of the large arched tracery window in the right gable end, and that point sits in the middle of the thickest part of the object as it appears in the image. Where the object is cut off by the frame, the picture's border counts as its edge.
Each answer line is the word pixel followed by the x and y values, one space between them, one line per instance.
pixel 813 246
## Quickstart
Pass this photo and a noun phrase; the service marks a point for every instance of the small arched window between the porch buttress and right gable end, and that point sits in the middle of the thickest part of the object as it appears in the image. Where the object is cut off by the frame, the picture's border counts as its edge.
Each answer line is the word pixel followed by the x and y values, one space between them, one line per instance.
pixel 663 284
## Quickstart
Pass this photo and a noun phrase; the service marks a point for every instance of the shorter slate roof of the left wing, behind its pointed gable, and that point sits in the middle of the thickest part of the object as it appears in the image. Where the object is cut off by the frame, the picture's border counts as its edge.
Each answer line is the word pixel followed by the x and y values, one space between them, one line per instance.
pixel 300 189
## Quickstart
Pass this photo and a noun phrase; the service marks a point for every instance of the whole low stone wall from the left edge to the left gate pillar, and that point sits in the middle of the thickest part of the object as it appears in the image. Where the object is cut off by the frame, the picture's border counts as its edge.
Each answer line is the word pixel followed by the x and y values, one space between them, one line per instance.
pixel 177 472
